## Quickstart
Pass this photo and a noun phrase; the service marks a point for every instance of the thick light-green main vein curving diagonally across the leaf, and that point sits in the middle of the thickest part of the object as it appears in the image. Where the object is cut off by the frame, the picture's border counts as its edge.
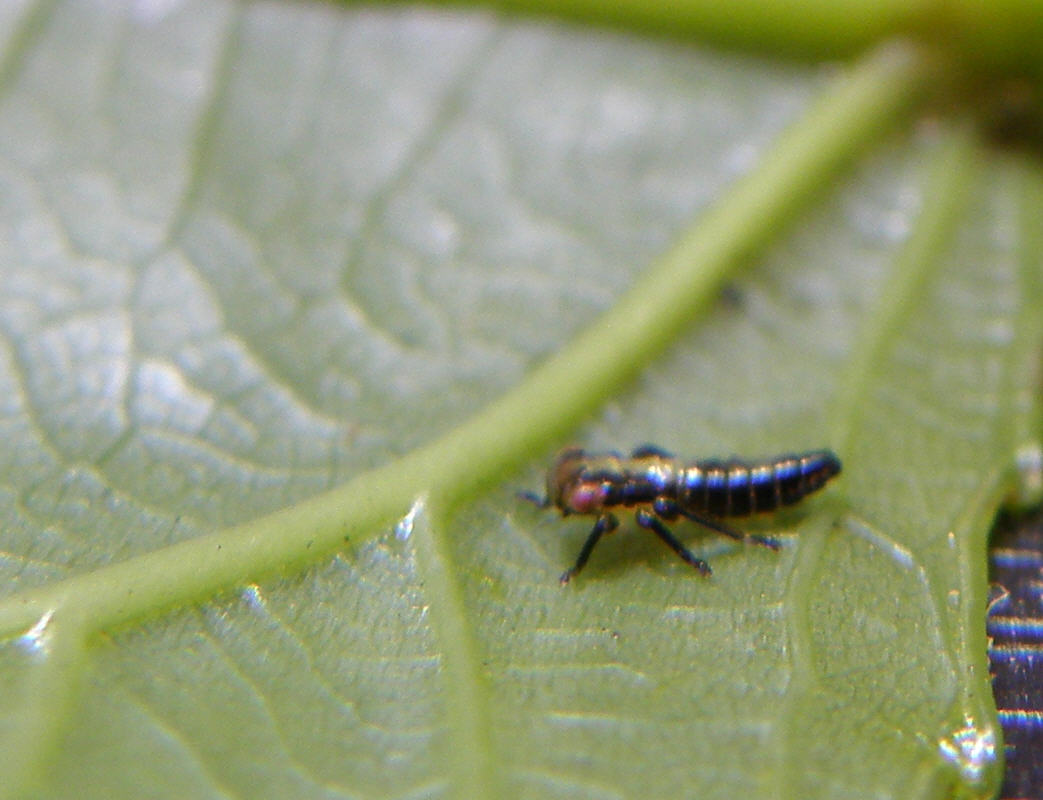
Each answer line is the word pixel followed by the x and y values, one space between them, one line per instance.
pixel 878 92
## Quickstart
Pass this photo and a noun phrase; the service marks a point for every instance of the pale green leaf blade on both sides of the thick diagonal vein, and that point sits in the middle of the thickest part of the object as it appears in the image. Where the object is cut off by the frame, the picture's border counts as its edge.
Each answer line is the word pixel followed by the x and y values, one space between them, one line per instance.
pixel 253 252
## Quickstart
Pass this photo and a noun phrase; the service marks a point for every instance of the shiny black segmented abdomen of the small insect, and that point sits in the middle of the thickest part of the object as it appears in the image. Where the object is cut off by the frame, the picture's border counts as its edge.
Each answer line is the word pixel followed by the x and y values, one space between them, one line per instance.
pixel 737 489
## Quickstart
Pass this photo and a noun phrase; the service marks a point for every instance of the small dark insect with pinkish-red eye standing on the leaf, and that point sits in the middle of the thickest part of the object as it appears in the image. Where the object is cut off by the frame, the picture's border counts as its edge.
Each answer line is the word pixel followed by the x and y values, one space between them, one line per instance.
pixel 662 489
